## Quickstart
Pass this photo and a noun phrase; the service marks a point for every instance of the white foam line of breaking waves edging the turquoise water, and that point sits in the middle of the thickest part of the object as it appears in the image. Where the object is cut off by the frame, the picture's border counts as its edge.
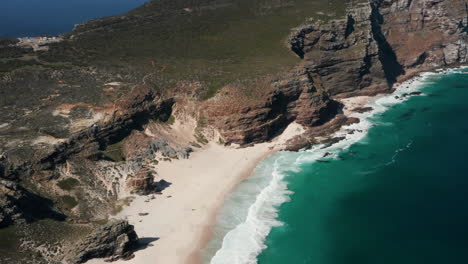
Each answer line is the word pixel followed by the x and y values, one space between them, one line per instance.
pixel 245 240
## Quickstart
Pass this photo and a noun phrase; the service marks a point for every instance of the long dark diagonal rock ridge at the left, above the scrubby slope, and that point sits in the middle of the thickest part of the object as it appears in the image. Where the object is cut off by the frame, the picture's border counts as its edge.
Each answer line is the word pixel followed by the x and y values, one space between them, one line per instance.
pixel 105 128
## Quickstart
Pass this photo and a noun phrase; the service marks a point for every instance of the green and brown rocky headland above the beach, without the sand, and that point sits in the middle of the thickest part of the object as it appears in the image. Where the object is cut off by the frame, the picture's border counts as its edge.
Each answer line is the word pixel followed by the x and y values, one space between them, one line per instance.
pixel 83 123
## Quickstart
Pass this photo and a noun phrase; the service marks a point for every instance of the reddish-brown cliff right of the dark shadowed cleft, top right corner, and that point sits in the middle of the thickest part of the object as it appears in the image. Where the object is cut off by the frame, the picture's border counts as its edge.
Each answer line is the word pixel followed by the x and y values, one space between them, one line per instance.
pixel 425 34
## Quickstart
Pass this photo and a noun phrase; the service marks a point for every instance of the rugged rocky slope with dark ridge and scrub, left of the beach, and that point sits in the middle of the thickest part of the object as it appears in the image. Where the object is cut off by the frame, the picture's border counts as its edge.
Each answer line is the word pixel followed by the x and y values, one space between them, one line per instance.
pixel 62 142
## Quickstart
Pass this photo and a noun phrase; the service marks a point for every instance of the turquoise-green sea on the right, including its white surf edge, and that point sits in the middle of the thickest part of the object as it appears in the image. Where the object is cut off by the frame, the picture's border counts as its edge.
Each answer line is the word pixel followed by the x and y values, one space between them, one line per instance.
pixel 394 191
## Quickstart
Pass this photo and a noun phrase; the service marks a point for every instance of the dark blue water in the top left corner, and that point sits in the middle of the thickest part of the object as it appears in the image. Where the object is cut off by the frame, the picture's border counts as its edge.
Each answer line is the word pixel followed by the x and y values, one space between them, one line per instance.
pixel 19 18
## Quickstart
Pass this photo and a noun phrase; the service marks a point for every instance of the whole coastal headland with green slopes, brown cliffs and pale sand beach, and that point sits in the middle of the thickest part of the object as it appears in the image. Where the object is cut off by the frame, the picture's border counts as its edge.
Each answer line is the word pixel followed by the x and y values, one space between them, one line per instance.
pixel 155 115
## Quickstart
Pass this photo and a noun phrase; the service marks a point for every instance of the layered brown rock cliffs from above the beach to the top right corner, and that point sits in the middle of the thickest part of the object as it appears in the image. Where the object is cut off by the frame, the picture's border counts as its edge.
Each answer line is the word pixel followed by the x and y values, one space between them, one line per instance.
pixel 378 44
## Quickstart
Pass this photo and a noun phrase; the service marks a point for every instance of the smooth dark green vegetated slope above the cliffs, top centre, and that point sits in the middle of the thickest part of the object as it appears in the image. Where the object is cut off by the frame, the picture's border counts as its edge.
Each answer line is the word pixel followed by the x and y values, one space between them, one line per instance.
pixel 212 42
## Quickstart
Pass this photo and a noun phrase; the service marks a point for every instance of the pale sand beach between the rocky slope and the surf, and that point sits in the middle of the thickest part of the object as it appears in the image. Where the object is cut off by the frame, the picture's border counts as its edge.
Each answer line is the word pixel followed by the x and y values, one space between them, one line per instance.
pixel 182 223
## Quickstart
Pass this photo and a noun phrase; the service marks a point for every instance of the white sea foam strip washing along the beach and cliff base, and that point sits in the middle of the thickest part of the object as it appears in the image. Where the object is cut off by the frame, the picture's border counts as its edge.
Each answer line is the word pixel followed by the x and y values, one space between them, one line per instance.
pixel 252 210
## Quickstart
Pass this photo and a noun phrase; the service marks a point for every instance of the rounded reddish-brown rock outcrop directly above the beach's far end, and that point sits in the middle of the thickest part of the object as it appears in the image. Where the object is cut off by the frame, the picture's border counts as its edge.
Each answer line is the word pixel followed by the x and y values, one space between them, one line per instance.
pixel 275 104
